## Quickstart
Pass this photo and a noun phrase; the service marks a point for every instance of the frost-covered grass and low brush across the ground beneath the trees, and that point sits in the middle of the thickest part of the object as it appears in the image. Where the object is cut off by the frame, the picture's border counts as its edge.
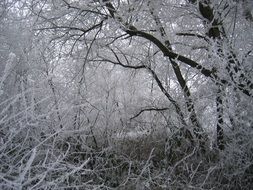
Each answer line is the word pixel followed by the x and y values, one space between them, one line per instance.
pixel 151 161
